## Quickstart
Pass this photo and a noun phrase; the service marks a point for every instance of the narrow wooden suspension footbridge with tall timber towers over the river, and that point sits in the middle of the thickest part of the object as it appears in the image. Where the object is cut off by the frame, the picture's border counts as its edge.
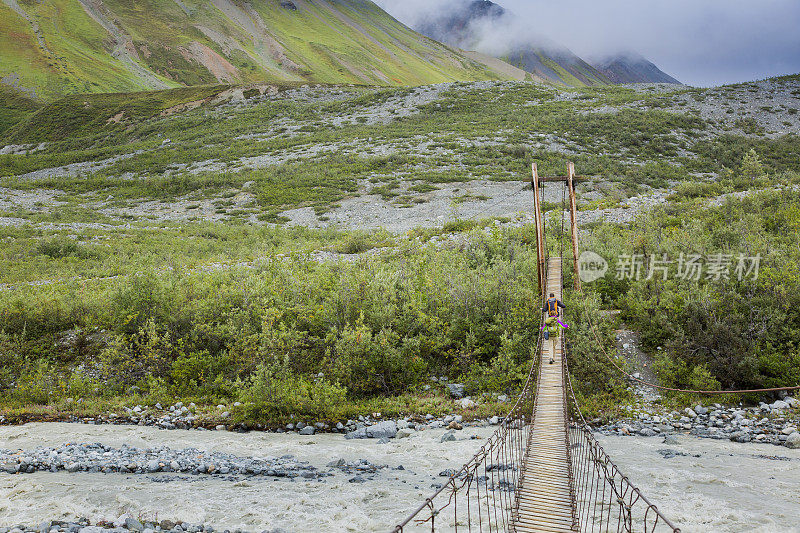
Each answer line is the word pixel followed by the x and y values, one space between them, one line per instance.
pixel 542 470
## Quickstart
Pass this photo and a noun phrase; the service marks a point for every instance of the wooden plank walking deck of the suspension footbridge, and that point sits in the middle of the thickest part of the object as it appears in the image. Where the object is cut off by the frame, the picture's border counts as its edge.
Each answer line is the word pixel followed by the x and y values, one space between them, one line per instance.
pixel 545 497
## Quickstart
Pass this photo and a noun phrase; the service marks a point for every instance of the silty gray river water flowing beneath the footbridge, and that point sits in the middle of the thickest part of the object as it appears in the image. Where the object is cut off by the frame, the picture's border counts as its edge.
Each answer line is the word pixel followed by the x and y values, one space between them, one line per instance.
pixel 729 488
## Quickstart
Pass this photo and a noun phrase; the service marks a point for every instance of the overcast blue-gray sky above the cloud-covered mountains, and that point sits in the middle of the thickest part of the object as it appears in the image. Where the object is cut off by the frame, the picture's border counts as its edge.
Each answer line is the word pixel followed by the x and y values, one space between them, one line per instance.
pixel 700 42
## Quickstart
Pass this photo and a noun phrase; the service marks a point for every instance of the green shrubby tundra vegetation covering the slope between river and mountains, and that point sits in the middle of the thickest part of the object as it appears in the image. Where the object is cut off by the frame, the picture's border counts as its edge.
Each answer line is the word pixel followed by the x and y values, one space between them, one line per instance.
pixel 103 305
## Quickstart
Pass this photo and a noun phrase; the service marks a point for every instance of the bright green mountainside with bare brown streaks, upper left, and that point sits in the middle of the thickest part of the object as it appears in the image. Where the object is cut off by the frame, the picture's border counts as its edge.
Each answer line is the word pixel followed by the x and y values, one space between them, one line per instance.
pixel 91 46
